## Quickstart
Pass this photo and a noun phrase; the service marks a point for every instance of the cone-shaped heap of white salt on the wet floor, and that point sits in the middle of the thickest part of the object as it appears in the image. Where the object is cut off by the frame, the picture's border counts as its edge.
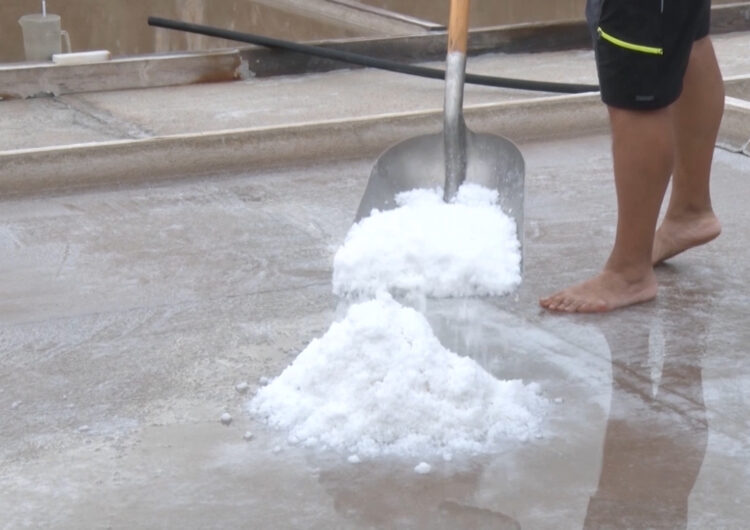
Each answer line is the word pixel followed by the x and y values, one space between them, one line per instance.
pixel 379 382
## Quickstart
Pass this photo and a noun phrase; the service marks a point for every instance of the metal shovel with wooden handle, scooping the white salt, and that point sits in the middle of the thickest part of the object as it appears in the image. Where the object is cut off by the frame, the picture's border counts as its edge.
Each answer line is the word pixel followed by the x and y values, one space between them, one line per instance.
pixel 453 156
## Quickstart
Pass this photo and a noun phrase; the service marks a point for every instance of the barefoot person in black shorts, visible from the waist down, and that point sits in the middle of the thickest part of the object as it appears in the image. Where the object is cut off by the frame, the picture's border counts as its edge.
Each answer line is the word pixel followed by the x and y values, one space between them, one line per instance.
pixel 664 92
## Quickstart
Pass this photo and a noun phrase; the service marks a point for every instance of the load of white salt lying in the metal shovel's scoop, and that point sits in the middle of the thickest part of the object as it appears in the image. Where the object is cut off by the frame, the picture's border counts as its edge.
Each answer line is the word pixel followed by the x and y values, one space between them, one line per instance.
pixel 466 248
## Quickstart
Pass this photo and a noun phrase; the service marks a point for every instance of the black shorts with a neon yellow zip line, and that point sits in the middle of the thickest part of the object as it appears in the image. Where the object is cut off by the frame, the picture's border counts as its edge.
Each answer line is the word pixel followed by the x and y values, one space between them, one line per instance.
pixel 643 46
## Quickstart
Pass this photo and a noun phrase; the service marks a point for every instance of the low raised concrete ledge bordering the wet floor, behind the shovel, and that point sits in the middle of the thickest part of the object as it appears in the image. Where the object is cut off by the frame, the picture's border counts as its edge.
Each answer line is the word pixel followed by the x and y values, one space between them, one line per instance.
pixel 122 163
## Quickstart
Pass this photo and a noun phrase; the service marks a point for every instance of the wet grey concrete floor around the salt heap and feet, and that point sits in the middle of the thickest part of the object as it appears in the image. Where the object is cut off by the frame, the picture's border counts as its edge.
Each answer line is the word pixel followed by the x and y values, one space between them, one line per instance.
pixel 128 316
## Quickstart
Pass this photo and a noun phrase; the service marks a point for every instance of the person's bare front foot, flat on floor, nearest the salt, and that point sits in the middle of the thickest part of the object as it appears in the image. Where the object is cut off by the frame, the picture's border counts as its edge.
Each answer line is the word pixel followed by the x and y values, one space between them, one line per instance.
pixel 605 292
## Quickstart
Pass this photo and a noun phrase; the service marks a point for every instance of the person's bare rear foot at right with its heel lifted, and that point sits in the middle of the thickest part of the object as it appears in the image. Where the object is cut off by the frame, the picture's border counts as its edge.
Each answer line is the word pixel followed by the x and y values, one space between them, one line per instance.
pixel 677 234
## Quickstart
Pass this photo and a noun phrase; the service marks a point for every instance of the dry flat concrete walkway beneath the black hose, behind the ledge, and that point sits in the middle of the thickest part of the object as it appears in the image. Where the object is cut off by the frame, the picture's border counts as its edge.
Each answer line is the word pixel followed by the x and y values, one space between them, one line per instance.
pixel 291 100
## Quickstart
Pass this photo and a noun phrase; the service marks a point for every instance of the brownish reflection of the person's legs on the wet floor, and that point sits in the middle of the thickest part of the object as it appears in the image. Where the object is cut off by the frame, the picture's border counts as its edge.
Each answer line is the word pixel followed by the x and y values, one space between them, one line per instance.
pixel 657 431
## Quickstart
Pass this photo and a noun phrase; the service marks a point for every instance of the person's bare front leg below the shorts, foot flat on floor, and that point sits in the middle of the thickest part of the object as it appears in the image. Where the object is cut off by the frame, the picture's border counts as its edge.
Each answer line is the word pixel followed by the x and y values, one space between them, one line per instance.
pixel 642 148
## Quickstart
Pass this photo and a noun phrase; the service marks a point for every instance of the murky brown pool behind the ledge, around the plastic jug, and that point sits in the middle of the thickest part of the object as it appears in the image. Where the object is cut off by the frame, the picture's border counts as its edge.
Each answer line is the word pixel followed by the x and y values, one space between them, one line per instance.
pixel 121 27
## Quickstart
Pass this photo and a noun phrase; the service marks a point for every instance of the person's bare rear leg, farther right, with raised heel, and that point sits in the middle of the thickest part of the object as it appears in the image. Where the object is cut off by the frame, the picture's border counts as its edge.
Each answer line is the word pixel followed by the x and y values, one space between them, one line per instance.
pixel 690 220
